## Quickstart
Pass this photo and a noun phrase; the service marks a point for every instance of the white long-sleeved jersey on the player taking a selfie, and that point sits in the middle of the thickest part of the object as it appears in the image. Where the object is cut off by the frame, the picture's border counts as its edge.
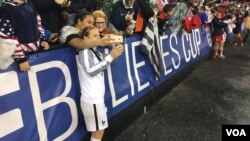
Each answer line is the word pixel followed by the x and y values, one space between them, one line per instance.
pixel 91 76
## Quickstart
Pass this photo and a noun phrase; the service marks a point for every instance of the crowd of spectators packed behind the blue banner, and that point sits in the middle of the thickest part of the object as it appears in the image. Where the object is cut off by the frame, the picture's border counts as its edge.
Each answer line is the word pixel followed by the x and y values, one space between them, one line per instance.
pixel 127 17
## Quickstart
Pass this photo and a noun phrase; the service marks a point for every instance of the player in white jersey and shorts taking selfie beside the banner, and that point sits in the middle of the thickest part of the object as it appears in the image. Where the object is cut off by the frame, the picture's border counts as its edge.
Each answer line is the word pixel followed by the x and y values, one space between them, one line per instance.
pixel 91 64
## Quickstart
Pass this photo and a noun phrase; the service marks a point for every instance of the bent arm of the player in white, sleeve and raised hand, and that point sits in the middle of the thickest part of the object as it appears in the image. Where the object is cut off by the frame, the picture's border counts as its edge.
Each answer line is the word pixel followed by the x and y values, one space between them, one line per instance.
pixel 87 57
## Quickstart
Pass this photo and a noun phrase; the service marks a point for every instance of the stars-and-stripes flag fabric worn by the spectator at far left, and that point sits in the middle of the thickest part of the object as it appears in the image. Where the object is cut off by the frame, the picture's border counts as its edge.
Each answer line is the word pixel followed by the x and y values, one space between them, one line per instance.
pixel 7 32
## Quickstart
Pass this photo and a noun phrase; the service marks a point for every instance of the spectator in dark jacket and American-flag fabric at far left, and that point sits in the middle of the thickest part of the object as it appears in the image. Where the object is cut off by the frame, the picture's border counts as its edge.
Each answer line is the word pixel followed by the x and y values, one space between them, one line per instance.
pixel 26 32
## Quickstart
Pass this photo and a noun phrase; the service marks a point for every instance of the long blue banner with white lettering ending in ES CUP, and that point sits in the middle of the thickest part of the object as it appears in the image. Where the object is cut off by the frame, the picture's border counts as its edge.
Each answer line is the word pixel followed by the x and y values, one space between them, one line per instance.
pixel 44 103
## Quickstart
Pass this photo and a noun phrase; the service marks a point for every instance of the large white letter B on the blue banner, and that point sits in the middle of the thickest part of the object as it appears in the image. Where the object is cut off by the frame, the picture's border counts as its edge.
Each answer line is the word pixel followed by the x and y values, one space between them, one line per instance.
pixel 40 106
